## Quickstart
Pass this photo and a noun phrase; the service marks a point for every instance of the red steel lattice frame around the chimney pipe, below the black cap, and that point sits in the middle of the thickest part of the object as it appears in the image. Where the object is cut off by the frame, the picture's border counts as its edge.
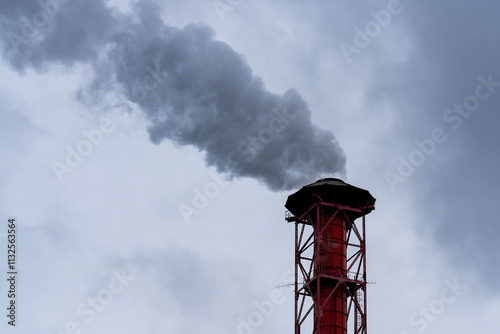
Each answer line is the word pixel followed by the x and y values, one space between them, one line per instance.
pixel 353 280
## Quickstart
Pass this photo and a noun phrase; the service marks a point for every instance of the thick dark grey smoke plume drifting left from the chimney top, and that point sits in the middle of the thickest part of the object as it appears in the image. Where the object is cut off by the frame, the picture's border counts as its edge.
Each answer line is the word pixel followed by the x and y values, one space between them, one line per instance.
pixel 193 89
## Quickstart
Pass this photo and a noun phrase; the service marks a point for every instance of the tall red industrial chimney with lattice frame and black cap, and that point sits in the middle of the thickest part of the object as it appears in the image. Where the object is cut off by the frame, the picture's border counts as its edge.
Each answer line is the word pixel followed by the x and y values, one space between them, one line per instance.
pixel 330 255
